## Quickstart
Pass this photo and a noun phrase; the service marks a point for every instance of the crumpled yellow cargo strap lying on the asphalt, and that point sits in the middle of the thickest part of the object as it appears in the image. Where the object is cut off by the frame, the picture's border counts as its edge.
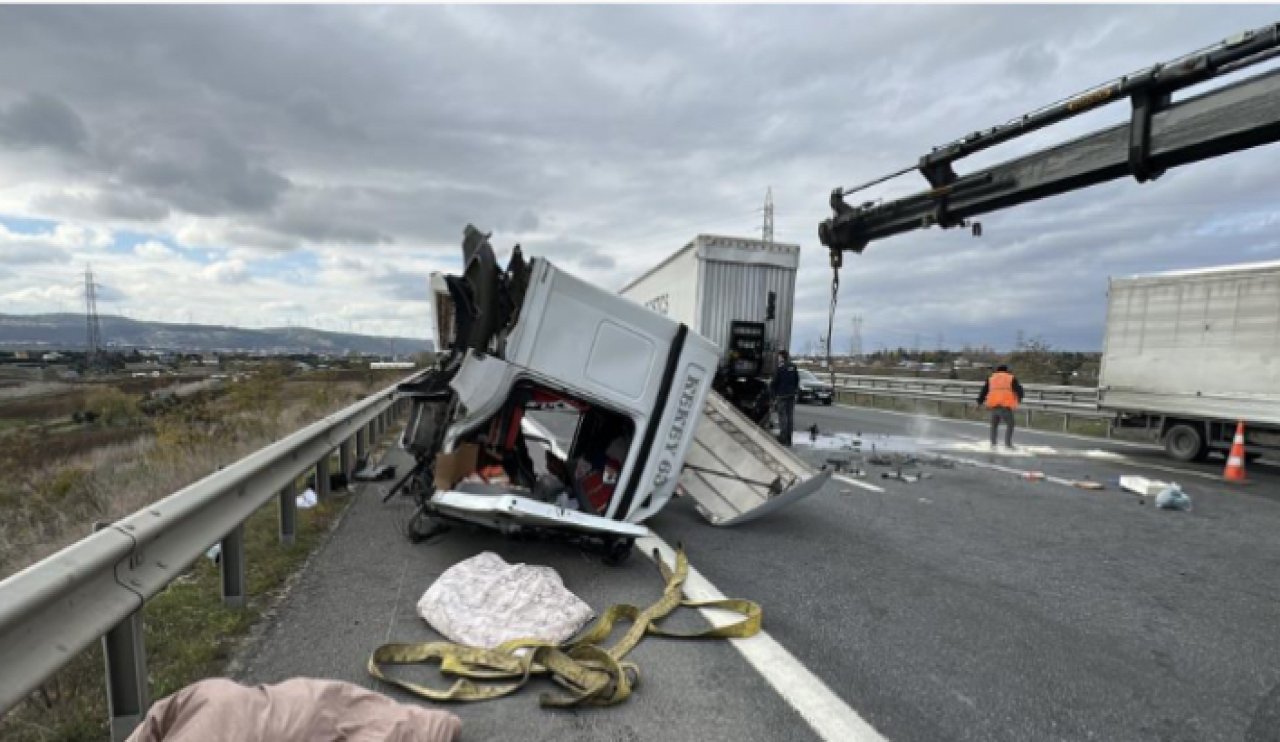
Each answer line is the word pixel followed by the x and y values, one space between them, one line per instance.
pixel 593 675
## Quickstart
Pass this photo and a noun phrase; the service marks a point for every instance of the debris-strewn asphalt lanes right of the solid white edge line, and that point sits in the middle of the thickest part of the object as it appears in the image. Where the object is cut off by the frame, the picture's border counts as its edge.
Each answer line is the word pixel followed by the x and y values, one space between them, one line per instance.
pixel 976 606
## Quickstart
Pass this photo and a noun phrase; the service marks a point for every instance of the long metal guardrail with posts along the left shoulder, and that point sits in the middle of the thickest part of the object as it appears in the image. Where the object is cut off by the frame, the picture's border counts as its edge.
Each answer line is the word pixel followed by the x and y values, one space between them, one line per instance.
pixel 95 589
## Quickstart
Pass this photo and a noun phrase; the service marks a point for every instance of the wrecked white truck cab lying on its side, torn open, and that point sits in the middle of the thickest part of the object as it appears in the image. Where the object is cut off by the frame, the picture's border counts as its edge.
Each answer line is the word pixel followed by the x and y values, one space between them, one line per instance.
pixel 533 338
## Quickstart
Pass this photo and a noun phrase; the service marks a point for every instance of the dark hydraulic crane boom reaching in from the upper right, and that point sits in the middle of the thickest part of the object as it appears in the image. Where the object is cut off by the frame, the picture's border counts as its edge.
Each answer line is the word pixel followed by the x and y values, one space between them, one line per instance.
pixel 1160 135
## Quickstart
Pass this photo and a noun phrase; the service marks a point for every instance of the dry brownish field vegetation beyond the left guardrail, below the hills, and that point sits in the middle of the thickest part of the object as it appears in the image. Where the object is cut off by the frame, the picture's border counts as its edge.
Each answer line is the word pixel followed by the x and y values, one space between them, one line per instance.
pixel 63 479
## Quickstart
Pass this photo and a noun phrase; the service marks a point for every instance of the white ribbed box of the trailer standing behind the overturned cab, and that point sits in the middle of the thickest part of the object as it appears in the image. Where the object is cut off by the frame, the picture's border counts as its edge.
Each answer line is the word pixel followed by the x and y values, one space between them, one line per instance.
pixel 716 281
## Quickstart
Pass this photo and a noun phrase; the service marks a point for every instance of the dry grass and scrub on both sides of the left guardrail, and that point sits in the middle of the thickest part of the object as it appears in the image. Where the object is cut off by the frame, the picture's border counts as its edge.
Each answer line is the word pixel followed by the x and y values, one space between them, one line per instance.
pixel 65 477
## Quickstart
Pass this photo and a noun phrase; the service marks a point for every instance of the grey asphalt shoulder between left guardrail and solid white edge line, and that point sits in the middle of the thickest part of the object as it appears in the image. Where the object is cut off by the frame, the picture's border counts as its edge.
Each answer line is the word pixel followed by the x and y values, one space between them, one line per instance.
pixel 362 589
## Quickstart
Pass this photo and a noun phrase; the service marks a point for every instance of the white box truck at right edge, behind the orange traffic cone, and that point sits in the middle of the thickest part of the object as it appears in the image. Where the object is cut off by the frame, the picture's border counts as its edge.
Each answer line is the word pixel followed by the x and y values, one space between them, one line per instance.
pixel 1190 354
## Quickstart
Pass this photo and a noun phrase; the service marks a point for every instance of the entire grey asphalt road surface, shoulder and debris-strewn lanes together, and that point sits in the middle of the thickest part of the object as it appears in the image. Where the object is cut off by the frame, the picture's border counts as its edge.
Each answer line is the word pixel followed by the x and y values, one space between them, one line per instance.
pixel 968 606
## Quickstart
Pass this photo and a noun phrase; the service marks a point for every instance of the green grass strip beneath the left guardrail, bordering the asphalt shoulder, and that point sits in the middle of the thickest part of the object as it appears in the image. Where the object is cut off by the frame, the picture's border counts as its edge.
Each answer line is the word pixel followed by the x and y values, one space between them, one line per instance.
pixel 189 633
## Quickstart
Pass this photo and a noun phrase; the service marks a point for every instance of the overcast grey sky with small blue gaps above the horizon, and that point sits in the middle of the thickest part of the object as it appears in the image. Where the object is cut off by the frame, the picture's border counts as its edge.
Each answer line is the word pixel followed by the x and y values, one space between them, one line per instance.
pixel 267 167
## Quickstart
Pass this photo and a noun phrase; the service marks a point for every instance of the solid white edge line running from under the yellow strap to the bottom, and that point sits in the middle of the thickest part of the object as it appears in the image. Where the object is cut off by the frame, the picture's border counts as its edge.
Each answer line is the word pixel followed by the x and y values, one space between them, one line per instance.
pixel 825 712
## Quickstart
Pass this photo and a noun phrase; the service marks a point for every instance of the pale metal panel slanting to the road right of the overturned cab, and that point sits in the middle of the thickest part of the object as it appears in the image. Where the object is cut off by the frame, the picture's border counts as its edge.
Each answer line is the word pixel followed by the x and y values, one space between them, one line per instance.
pixel 738 473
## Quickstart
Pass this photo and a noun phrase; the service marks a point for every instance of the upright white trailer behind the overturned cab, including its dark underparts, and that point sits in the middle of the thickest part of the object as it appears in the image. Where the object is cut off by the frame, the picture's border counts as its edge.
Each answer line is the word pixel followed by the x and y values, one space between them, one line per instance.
pixel 738 294
